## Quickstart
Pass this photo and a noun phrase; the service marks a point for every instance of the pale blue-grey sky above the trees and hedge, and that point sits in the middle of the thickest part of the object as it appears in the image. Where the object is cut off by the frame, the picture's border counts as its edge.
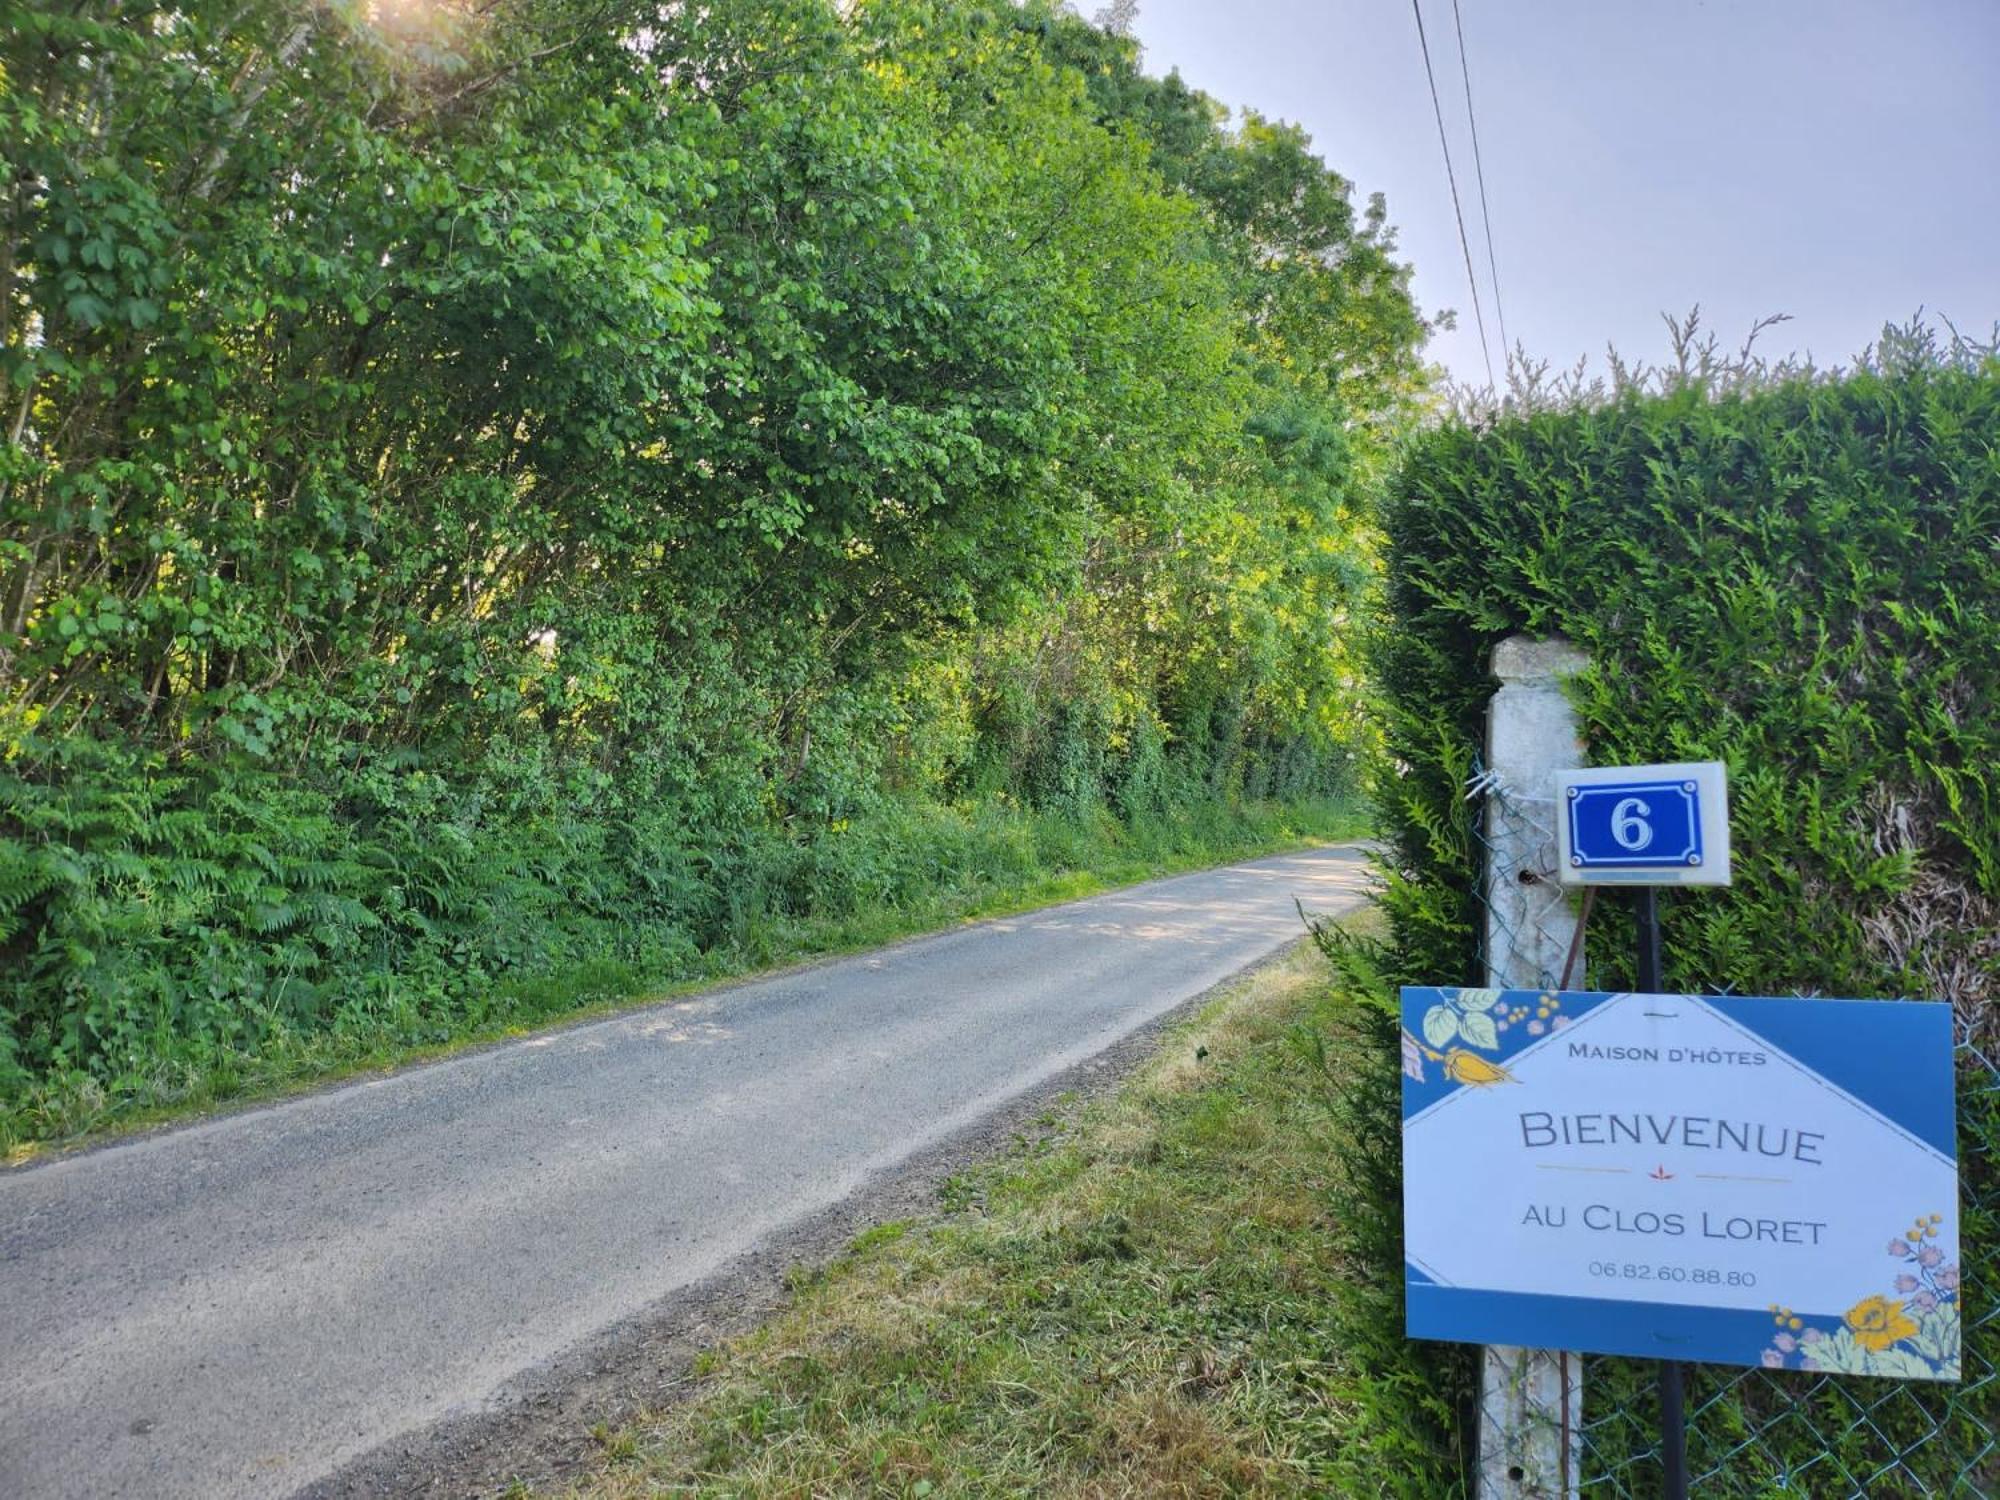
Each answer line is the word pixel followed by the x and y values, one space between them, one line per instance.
pixel 1837 161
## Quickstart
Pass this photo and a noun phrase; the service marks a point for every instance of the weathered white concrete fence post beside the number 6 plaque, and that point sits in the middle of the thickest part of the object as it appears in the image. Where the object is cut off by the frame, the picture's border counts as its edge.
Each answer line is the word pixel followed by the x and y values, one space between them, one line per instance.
pixel 1531 1401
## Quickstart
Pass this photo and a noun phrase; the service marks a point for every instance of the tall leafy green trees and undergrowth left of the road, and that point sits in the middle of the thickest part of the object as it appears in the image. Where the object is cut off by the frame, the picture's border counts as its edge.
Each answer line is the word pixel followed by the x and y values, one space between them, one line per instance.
pixel 505 489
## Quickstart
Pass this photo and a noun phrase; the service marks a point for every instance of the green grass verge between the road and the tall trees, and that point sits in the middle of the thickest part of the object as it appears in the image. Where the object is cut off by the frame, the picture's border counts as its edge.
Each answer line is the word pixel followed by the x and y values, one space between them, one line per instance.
pixel 911 871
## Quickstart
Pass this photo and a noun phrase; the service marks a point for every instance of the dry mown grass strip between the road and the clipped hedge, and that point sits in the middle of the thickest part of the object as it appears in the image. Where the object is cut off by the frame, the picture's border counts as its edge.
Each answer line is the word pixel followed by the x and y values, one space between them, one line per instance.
pixel 1131 1305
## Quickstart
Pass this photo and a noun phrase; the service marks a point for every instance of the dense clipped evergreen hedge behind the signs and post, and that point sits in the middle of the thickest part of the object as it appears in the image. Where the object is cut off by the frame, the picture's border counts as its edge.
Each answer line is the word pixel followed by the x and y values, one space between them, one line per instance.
pixel 1805 585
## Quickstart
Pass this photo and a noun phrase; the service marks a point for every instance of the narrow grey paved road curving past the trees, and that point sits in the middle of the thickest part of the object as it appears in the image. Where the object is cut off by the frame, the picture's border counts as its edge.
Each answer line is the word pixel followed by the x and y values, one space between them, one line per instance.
pixel 241 1307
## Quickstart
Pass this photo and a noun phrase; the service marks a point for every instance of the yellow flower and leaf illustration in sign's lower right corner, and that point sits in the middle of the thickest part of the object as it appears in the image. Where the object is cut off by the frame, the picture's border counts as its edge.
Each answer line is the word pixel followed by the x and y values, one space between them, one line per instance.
pixel 1911 1333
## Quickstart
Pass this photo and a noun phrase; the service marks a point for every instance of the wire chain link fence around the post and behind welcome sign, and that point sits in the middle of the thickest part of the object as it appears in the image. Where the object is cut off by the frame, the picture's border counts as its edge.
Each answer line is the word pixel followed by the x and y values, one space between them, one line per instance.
pixel 1761 1433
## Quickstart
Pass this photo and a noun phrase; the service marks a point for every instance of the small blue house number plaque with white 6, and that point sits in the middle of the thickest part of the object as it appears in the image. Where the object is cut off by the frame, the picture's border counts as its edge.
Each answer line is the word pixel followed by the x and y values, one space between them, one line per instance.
pixel 1643 825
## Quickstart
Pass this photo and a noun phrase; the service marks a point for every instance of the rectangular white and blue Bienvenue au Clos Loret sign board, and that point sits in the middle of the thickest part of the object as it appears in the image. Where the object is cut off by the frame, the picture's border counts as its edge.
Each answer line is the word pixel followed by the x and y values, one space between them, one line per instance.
pixel 1685 1177
